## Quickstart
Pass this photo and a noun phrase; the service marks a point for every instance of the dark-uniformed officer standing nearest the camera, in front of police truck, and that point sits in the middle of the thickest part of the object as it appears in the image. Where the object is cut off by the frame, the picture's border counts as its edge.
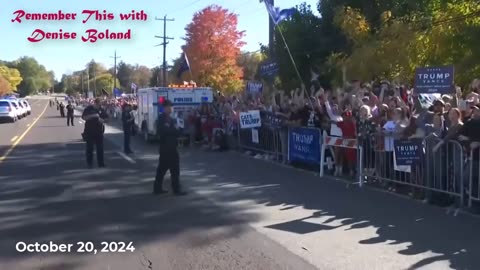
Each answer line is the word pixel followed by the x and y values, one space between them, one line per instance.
pixel 169 158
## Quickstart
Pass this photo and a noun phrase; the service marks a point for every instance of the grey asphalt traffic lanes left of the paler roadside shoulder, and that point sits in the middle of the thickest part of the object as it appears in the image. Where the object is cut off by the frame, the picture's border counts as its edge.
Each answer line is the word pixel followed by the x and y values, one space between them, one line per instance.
pixel 46 194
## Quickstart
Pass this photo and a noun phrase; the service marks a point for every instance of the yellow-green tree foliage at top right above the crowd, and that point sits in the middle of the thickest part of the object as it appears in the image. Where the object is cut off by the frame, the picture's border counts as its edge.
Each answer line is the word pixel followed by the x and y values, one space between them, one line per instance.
pixel 401 44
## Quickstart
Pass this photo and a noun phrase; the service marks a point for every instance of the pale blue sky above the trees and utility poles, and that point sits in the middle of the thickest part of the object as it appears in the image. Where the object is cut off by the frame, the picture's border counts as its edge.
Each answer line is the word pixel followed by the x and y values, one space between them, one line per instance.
pixel 66 56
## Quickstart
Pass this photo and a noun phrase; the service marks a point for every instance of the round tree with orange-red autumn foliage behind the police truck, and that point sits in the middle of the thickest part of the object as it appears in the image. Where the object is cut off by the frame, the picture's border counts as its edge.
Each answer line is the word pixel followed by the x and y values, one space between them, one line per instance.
pixel 213 45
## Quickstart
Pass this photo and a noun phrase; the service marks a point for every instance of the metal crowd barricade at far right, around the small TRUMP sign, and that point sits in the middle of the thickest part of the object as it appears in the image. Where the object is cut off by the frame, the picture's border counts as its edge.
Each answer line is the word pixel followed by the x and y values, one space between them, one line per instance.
pixel 439 171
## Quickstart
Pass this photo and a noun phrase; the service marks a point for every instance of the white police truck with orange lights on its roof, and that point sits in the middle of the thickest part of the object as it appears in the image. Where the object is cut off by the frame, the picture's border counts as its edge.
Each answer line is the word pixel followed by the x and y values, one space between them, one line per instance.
pixel 183 97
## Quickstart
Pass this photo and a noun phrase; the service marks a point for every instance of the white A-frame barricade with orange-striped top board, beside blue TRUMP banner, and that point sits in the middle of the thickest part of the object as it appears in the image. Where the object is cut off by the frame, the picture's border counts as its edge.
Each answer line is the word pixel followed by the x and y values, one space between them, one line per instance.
pixel 332 141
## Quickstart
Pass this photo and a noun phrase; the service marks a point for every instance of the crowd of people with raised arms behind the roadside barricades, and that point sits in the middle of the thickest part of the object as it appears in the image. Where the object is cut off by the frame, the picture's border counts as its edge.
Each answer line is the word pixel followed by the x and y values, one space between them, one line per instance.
pixel 375 114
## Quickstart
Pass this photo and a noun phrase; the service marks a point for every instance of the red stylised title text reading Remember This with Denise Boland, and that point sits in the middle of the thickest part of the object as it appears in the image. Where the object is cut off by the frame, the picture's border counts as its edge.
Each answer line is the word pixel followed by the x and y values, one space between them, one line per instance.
pixel 91 35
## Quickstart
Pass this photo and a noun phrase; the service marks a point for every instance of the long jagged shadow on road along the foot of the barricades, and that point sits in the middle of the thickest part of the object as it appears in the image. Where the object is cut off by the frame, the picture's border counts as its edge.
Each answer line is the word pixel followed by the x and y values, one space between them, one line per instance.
pixel 396 220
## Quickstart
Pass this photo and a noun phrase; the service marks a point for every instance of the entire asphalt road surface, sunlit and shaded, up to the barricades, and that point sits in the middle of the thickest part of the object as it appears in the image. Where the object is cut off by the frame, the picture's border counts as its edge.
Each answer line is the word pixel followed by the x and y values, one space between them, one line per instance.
pixel 241 213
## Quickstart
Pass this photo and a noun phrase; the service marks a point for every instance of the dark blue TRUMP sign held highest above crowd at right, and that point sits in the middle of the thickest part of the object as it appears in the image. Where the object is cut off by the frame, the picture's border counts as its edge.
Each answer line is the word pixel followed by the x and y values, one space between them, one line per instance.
pixel 434 80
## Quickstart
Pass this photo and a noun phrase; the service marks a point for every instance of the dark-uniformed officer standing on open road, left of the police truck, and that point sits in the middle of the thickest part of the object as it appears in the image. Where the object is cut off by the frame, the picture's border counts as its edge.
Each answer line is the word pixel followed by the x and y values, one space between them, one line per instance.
pixel 94 117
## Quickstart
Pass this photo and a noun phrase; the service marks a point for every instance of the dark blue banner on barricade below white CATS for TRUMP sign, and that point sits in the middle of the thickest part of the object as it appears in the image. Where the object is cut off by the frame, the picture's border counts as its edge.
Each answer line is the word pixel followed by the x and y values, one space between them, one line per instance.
pixel 264 140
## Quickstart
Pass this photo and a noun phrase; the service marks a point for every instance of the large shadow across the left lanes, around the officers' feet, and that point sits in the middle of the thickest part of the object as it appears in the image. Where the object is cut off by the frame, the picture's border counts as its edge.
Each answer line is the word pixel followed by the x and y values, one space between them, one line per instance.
pixel 46 194
